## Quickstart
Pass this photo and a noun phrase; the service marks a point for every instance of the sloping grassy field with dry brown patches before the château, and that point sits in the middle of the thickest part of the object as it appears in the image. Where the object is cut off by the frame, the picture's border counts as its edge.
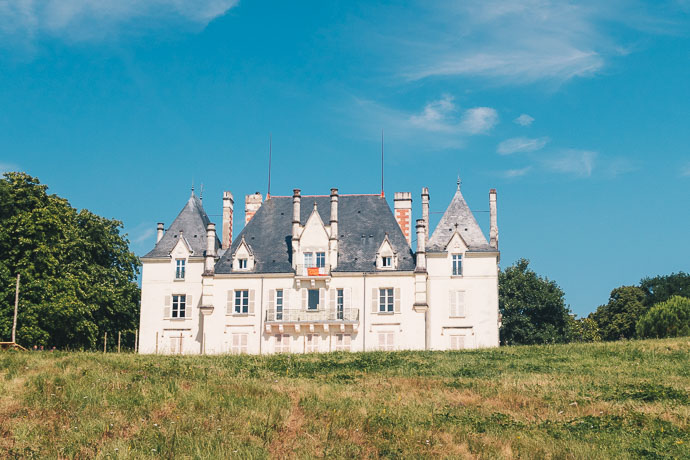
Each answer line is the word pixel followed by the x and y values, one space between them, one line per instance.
pixel 616 400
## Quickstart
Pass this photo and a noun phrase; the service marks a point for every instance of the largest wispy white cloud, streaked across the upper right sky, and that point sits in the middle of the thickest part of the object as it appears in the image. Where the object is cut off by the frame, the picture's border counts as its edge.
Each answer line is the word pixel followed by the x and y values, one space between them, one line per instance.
pixel 522 41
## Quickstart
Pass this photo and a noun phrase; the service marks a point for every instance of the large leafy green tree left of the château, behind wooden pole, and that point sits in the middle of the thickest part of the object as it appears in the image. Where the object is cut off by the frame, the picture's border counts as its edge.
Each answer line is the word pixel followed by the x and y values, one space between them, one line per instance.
pixel 78 277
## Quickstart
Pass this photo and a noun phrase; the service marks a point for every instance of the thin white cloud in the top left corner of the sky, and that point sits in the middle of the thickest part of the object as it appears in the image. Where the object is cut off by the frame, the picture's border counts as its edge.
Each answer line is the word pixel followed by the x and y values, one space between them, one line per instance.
pixel 87 19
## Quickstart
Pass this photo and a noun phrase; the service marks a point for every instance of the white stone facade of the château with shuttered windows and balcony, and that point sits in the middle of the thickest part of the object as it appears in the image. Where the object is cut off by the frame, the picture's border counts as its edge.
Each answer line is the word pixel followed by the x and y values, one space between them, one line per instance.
pixel 436 306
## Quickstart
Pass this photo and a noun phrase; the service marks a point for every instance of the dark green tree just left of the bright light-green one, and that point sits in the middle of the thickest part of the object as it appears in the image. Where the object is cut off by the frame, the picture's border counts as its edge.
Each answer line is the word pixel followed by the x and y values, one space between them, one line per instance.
pixel 617 319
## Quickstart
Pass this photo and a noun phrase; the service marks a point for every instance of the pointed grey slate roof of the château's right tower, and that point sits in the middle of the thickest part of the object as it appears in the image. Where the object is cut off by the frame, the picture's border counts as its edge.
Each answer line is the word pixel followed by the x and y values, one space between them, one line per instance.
pixel 458 213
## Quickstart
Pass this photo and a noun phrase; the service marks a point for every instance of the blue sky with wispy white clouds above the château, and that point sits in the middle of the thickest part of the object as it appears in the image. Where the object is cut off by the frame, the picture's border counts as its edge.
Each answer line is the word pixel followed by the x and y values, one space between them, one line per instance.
pixel 578 113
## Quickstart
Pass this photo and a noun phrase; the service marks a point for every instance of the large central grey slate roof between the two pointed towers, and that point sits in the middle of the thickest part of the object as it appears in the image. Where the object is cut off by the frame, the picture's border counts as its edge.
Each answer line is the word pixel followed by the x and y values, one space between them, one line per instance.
pixel 363 221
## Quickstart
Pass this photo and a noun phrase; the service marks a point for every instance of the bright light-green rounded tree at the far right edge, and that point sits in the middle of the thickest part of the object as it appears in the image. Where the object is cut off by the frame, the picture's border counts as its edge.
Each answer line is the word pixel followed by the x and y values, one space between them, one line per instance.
pixel 666 319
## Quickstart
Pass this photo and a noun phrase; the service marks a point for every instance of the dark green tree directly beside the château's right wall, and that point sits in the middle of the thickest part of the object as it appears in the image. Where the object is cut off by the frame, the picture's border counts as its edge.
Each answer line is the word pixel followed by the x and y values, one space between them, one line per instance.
pixel 533 308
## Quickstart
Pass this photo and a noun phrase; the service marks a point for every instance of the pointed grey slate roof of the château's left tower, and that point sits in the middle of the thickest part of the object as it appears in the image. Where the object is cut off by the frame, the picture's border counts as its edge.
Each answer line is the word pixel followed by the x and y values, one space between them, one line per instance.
pixel 192 222
